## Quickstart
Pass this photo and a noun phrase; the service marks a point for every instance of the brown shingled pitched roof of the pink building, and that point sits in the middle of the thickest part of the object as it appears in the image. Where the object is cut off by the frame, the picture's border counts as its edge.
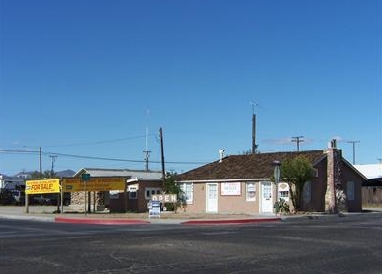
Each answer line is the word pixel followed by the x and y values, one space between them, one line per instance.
pixel 253 166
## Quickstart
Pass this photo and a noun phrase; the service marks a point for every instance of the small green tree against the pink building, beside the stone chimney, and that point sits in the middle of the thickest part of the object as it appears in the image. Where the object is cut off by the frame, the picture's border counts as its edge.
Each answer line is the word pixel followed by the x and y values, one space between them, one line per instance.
pixel 296 172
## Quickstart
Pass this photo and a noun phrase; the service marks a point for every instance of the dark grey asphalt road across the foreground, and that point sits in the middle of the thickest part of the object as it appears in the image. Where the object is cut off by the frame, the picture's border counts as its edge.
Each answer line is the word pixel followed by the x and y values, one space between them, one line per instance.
pixel 351 244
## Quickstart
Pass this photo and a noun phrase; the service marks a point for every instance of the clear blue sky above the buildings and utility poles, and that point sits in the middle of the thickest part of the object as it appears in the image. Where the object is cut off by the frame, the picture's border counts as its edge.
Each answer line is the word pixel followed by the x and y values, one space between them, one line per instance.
pixel 90 78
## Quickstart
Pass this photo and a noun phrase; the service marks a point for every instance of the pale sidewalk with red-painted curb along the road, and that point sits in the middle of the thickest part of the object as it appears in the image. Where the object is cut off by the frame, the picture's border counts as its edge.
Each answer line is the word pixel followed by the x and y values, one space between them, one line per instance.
pixel 46 213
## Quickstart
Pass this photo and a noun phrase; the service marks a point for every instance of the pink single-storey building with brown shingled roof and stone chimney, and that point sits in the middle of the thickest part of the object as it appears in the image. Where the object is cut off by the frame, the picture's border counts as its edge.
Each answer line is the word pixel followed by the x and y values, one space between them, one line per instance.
pixel 245 184
